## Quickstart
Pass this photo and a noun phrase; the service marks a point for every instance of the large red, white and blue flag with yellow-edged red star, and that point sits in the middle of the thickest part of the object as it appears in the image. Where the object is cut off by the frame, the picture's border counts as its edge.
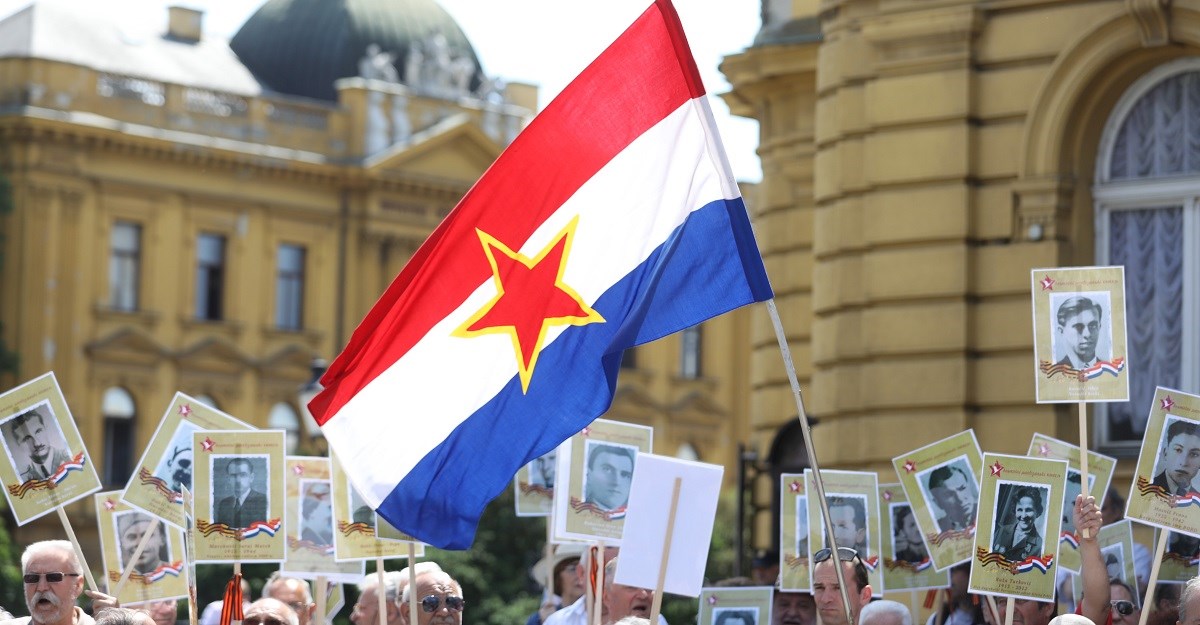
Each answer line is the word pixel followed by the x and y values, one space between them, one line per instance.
pixel 611 221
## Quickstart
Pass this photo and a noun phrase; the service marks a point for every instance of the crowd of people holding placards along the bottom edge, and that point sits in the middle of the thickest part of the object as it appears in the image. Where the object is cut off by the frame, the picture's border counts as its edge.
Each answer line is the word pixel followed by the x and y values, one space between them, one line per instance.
pixel 55 582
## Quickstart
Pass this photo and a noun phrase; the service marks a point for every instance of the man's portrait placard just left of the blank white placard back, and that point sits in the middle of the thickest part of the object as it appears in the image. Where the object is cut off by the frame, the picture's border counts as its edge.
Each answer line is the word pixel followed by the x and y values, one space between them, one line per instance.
pixel 598 465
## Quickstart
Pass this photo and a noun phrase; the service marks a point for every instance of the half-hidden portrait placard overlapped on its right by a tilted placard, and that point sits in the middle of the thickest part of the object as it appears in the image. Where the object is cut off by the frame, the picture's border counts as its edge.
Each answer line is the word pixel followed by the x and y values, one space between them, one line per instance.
pixel 907 561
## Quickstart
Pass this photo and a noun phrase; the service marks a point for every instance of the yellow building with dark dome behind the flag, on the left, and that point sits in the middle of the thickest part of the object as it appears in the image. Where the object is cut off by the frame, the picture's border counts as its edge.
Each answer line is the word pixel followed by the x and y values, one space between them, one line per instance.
pixel 190 215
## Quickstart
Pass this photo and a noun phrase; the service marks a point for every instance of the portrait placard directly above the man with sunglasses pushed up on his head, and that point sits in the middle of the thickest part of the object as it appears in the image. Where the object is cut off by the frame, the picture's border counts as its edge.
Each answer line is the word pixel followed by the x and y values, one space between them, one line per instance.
pixel 854 502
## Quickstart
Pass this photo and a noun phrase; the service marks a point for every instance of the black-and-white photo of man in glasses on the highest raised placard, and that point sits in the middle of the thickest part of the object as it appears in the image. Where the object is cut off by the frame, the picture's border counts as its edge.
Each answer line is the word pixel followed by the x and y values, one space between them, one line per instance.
pixel 1082 332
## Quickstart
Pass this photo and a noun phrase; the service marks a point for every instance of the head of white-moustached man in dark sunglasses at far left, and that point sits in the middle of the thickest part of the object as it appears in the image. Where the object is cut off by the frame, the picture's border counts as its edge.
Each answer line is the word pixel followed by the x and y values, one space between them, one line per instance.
pixel 53 582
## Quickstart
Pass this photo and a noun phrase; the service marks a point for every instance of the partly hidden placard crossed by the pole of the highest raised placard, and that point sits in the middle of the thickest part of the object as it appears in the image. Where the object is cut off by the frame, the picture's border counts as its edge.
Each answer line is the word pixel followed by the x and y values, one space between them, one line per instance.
pixel 1100 474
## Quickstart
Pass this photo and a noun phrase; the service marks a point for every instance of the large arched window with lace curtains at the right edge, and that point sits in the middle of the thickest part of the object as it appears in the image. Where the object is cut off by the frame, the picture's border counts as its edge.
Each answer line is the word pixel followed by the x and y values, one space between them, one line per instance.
pixel 1148 219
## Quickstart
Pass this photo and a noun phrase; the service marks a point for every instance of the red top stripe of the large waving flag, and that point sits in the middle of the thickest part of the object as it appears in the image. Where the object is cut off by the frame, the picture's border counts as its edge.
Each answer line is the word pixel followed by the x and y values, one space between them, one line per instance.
pixel 451 265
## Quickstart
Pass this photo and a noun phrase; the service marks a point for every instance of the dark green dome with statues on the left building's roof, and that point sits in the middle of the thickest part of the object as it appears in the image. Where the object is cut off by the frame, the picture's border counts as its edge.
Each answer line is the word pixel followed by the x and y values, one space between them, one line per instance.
pixel 302 47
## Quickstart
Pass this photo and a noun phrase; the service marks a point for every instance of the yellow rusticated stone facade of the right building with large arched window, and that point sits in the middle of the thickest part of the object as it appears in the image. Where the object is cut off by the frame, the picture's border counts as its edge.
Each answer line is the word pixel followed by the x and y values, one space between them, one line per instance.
pixel 920 159
